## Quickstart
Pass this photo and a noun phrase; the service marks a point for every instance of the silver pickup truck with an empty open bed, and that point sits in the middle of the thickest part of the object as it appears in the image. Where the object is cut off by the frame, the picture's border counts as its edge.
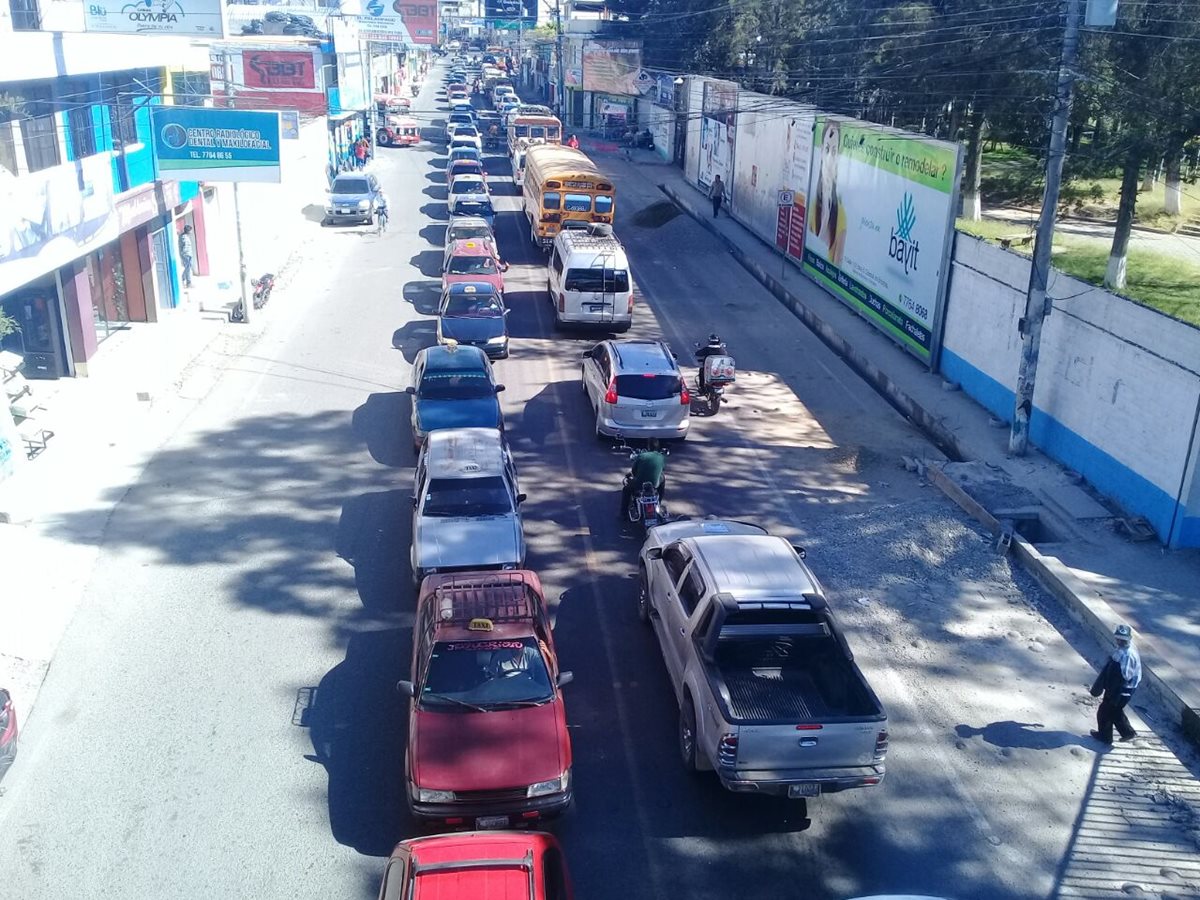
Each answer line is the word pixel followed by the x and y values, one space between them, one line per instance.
pixel 770 695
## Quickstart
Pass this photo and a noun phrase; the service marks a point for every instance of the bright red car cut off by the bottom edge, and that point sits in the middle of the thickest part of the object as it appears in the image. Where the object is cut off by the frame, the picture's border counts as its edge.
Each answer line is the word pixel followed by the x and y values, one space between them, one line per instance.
pixel 478 866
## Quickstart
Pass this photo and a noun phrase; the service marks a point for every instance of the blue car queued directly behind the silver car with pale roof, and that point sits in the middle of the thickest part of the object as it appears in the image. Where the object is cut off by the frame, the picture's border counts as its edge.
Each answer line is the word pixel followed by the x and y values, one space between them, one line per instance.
pixel 454 387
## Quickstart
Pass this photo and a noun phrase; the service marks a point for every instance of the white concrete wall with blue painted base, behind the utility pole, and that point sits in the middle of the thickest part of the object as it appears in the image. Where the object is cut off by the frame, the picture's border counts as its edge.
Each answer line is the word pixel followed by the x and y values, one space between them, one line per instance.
pixel 1119 385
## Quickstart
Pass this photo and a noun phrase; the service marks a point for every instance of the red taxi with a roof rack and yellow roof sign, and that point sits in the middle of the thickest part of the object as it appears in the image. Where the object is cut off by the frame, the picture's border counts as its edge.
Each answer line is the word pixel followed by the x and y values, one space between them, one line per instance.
pixel 488 742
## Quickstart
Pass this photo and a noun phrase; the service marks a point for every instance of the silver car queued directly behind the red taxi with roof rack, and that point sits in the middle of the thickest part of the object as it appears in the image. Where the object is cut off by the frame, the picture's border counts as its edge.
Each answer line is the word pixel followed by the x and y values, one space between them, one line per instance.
pixel 466 503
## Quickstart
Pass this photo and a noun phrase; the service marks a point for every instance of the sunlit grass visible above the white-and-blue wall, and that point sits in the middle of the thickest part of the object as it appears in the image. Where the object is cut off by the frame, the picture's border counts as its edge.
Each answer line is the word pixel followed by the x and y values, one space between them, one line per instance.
pixel 1157 280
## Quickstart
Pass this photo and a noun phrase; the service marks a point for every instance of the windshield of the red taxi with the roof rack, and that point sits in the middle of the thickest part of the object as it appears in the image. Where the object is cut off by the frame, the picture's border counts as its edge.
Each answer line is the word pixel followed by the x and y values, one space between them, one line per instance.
pixel 487 674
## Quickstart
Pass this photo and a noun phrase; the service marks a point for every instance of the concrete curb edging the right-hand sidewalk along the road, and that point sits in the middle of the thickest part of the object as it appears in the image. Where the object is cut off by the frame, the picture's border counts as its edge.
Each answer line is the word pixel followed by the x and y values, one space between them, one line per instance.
pixel 1083 604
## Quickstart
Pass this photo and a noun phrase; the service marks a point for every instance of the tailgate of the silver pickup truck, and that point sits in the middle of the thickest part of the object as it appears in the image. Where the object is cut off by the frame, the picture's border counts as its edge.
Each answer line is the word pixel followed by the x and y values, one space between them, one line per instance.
pixel 809 746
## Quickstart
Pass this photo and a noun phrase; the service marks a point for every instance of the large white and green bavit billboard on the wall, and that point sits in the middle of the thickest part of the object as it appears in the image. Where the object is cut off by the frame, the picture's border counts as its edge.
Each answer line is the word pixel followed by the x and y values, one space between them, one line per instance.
pixel 881 212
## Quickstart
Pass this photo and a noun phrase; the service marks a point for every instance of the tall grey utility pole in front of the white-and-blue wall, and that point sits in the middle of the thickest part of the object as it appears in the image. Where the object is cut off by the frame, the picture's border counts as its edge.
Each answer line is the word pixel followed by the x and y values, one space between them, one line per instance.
pixel 1040 271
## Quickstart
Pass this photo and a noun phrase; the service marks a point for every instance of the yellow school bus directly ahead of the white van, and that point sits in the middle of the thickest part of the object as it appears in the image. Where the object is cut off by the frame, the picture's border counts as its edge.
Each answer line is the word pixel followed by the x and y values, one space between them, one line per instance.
pixel 563 189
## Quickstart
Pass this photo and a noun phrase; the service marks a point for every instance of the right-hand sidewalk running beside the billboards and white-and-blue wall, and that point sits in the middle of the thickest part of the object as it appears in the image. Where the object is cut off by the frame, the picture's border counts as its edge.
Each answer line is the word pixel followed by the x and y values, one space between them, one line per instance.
pixel 1063 533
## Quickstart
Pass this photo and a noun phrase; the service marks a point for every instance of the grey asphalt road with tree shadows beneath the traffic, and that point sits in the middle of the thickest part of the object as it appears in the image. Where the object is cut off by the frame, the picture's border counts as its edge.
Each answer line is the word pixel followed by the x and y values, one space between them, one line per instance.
pixel 221 716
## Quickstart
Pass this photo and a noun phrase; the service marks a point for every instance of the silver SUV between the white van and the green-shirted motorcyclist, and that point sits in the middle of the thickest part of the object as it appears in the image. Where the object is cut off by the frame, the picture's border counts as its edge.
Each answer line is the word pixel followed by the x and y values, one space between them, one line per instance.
pixel 637 391
